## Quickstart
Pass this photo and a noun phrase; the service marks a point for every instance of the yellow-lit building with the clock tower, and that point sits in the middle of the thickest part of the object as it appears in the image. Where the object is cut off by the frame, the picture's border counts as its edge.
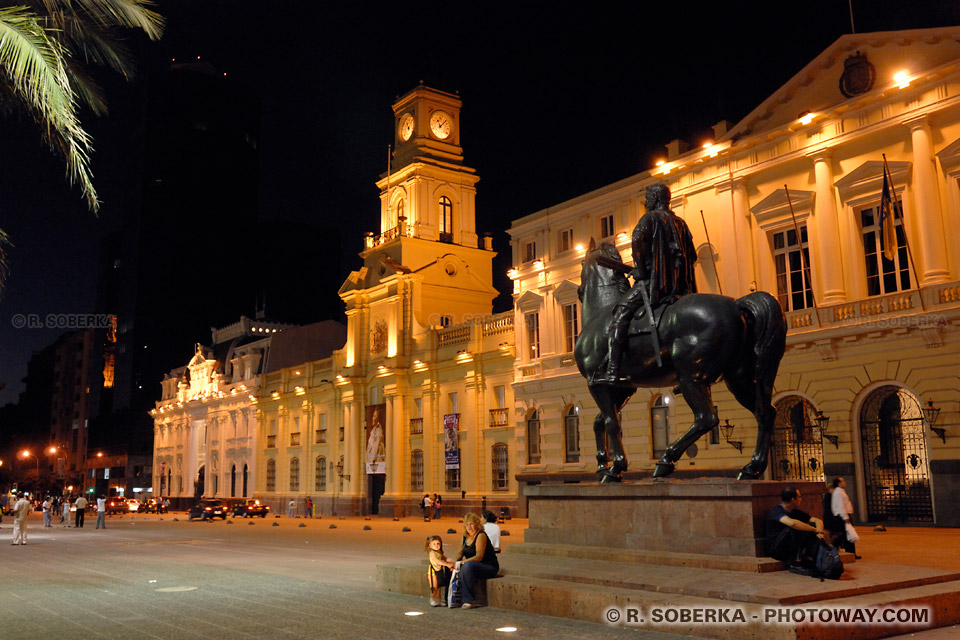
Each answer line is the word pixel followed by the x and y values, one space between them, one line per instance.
pixel 363 431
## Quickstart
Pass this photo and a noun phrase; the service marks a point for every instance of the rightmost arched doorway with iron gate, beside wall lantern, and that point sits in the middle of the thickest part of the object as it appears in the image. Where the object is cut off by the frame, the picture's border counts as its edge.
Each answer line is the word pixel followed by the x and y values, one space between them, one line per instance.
pixel 896 468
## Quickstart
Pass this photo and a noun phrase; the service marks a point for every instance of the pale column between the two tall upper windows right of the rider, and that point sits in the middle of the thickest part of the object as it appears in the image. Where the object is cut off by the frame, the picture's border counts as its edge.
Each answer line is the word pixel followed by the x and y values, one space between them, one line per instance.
pixel 827 231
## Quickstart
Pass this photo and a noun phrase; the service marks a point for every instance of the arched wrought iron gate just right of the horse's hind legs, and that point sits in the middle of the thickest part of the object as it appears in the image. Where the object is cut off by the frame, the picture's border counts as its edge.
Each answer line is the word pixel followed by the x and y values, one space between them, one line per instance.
pixel 797 441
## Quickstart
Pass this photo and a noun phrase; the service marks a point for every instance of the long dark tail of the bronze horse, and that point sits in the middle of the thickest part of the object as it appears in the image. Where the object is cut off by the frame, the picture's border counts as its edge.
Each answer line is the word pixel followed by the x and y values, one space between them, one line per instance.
pixel 769 326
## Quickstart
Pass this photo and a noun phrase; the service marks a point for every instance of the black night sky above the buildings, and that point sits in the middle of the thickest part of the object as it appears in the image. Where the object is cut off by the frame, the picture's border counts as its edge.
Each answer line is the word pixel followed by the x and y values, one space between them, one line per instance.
pixel 556 102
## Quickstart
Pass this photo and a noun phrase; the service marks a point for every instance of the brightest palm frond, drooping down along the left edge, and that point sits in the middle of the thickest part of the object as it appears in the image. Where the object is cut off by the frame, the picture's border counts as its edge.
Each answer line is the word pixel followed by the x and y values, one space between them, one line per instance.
pixel 33 63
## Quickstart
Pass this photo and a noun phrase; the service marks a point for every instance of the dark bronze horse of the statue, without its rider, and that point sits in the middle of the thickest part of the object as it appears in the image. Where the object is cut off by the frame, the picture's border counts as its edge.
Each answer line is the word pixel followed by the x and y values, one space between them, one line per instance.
pixel 702 338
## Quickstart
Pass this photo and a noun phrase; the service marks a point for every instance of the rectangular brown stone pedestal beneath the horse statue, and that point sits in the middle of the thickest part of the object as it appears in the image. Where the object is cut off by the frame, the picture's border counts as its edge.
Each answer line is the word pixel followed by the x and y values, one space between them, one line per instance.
pixel 712 516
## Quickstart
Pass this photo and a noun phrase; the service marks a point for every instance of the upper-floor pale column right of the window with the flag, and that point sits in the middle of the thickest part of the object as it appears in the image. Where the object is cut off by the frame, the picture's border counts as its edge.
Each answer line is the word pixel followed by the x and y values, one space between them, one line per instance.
pixel 932 250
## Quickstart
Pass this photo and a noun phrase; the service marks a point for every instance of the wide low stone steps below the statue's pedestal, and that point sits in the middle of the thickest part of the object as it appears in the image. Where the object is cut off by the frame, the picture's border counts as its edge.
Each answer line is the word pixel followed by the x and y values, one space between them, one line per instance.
pixel 587 590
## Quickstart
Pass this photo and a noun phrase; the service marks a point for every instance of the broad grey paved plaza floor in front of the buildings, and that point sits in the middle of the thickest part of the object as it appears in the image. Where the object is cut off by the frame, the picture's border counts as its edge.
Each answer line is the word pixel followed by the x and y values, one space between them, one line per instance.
pixel 147 577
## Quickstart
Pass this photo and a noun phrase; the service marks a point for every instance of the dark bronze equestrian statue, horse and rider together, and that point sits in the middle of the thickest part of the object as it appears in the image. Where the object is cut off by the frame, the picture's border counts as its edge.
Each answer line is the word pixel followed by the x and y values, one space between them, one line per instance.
pixel 660 332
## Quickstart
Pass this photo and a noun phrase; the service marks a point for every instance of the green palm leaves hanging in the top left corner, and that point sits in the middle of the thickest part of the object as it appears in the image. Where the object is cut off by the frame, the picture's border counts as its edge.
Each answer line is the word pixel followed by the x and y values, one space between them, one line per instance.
pixel 41 47
